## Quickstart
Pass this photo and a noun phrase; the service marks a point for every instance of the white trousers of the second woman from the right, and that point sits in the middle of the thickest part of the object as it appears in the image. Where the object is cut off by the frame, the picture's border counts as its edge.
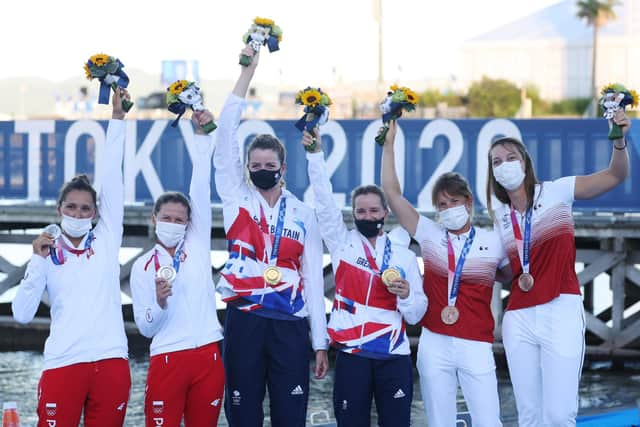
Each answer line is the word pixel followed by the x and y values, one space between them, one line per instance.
pixel 443 361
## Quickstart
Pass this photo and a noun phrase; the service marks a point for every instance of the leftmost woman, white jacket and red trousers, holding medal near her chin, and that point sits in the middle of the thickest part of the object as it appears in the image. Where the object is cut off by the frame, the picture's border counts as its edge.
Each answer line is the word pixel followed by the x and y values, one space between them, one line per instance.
pixel 85 356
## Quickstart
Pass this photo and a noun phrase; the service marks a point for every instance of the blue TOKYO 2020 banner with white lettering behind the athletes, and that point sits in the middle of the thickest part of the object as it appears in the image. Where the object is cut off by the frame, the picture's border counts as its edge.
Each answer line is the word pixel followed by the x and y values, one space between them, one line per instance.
pixel 36 157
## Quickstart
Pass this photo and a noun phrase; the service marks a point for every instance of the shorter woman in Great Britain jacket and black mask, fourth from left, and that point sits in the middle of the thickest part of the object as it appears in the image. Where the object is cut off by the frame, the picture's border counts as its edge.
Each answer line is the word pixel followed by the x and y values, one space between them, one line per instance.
pixel 367 322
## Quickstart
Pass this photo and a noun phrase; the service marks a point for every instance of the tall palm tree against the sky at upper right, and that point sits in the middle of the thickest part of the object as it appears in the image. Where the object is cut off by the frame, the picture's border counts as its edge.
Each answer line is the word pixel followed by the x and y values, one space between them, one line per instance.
pixel 596 13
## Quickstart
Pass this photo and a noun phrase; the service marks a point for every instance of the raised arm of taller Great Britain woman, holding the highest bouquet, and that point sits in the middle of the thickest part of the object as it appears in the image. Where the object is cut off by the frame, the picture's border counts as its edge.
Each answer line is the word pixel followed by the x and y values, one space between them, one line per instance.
pixel 227 159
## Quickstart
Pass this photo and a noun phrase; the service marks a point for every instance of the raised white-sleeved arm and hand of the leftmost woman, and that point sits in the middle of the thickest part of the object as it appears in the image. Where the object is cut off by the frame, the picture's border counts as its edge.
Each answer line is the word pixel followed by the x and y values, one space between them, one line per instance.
pixel 111 196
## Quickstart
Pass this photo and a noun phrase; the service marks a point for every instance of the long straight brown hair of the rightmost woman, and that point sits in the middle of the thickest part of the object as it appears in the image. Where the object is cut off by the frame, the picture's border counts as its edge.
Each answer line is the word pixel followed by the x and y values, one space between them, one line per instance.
pixel 530 180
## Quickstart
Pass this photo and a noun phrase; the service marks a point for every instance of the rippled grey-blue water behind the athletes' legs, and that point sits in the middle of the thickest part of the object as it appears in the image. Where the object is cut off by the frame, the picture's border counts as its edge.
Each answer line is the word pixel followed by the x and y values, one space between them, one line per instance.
pixel 600 387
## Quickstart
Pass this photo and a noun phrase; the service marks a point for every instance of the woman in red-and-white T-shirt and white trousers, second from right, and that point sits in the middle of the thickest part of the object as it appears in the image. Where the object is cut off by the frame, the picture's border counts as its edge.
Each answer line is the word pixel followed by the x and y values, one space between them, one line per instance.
pixel 460 266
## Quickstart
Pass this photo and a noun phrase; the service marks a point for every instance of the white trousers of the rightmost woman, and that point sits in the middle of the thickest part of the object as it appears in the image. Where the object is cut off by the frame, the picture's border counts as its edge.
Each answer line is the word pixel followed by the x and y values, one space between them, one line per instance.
pixel 545 349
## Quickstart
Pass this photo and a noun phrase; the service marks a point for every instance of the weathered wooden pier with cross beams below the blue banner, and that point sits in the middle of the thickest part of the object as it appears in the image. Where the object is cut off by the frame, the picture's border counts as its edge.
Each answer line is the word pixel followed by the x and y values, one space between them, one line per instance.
pixel 605 244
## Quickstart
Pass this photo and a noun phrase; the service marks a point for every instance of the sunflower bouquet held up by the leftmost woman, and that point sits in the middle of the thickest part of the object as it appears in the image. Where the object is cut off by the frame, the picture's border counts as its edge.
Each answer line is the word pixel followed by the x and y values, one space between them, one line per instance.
pixel 109 71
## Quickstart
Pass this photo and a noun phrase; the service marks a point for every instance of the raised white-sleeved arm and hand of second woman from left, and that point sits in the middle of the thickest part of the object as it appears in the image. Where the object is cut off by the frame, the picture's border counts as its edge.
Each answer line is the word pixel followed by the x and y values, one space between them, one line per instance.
pixel 200 189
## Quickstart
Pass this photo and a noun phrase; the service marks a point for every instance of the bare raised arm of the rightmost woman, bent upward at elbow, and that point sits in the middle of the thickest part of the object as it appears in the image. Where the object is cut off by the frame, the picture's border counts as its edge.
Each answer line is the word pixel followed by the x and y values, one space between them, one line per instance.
pixel 590 186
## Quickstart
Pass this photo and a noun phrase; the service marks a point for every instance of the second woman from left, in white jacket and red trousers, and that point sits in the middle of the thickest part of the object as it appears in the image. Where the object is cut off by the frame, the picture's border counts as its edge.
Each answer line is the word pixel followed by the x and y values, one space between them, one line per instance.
pixel 178 310
